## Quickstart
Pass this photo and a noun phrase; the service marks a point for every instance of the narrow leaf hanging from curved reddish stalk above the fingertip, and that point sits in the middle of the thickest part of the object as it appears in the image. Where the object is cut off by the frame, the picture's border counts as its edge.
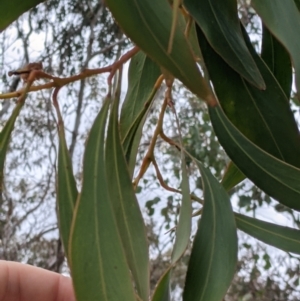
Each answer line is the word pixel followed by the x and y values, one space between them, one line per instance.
pixel 66 185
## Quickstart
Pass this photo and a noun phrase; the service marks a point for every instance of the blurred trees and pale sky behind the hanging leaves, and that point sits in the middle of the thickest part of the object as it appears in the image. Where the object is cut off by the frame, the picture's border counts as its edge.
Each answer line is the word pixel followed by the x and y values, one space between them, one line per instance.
pixel 68 36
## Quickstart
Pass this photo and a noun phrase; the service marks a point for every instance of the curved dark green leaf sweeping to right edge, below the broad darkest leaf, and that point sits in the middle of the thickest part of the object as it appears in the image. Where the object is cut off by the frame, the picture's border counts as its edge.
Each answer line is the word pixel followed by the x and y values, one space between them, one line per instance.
pixel 277 178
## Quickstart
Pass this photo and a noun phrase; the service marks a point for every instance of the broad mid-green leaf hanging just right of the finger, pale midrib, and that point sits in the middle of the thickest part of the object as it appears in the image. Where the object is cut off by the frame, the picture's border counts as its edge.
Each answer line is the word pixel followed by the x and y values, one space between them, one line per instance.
pixel 98 264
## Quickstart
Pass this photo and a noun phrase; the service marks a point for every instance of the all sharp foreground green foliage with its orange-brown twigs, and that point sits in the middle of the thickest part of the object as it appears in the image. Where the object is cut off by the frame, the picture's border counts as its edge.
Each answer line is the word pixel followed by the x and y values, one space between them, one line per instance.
pixel 244 93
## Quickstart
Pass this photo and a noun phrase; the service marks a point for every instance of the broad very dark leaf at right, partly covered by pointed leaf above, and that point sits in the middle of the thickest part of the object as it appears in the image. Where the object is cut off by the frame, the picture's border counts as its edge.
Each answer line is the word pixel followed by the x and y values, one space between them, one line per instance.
pixel 259 115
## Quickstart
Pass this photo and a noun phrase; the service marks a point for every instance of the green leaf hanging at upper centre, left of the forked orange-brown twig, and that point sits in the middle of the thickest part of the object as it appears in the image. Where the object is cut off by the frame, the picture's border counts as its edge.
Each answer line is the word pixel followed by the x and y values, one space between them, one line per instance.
pixel 142 76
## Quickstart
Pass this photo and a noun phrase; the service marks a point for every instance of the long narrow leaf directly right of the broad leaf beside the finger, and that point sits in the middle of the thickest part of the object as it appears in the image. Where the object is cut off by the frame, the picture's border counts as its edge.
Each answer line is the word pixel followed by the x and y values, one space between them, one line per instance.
pixel 126 209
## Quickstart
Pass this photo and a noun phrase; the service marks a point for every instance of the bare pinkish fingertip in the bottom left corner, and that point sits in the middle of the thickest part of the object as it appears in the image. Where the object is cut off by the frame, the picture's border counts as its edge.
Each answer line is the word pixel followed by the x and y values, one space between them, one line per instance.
pixel 21 282
